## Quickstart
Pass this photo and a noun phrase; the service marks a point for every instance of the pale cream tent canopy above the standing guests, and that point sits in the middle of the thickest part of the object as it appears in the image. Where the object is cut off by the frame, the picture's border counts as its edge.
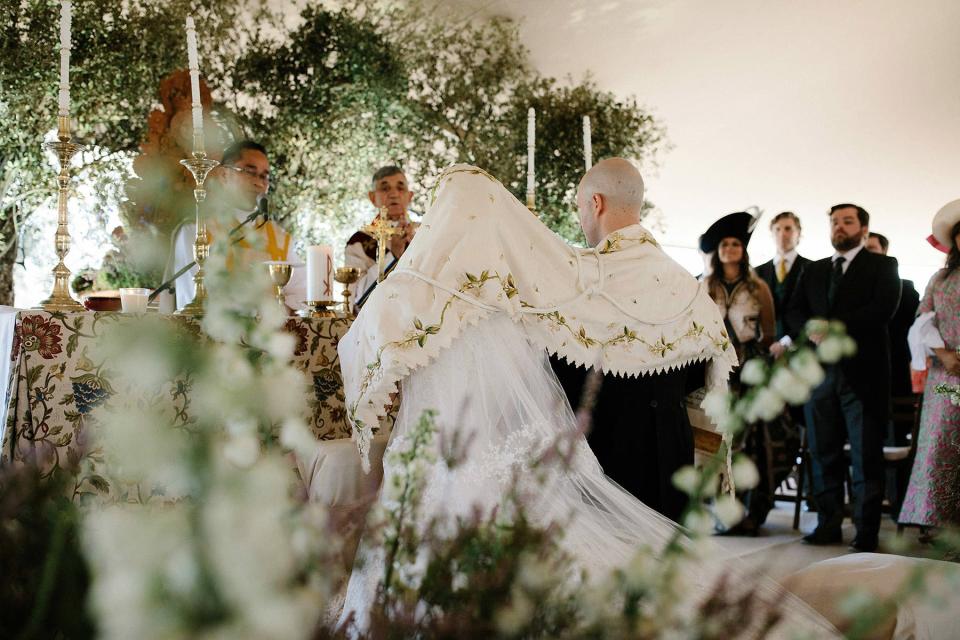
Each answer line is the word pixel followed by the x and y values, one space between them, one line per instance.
pixel 785 105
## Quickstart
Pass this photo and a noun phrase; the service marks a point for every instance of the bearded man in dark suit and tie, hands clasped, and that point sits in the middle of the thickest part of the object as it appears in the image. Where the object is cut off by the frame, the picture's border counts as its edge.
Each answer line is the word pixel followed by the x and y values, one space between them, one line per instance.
pixel 862 290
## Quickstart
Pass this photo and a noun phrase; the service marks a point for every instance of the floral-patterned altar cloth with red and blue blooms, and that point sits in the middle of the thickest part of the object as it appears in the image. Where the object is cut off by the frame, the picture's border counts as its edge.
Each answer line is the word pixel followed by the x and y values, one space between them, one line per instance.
pixel 56 386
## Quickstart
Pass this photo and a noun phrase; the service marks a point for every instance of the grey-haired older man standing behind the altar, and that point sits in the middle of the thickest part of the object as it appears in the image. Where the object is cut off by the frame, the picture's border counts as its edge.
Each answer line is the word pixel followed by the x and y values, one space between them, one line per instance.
pixel 390 189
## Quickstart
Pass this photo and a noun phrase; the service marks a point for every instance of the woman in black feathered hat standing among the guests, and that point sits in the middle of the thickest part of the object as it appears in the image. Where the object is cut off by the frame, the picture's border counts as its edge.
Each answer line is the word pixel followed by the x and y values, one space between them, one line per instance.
pixel 748 311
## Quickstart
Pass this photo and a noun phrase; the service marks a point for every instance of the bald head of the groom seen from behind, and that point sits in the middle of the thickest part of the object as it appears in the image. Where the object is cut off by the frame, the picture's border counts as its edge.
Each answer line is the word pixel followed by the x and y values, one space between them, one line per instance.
pixel 610 197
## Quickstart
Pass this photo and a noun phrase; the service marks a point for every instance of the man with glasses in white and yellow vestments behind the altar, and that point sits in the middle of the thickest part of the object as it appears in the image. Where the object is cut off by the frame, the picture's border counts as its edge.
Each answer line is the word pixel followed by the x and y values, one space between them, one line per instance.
pixel 236 190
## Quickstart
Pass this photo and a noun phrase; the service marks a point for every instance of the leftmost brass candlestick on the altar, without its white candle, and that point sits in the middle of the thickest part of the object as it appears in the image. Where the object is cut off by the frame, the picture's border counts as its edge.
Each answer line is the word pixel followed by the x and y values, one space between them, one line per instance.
pixel 65 148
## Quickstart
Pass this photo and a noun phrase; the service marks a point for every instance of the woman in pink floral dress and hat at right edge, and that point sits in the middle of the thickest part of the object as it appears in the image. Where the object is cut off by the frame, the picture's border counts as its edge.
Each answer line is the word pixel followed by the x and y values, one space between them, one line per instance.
pixel 932 498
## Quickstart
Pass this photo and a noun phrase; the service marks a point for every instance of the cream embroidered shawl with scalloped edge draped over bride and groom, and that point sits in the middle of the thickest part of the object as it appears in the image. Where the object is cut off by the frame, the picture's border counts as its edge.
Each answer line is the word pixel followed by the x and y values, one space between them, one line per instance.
pixel 623 307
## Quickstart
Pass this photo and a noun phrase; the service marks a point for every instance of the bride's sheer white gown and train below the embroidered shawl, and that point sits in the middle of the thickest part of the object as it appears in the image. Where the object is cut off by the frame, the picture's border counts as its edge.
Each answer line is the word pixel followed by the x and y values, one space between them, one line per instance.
pixel 496 391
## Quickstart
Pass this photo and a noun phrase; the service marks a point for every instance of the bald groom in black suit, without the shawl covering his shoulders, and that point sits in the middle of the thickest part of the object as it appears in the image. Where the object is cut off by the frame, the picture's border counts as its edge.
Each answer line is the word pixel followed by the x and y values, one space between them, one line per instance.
pixel 640 431
